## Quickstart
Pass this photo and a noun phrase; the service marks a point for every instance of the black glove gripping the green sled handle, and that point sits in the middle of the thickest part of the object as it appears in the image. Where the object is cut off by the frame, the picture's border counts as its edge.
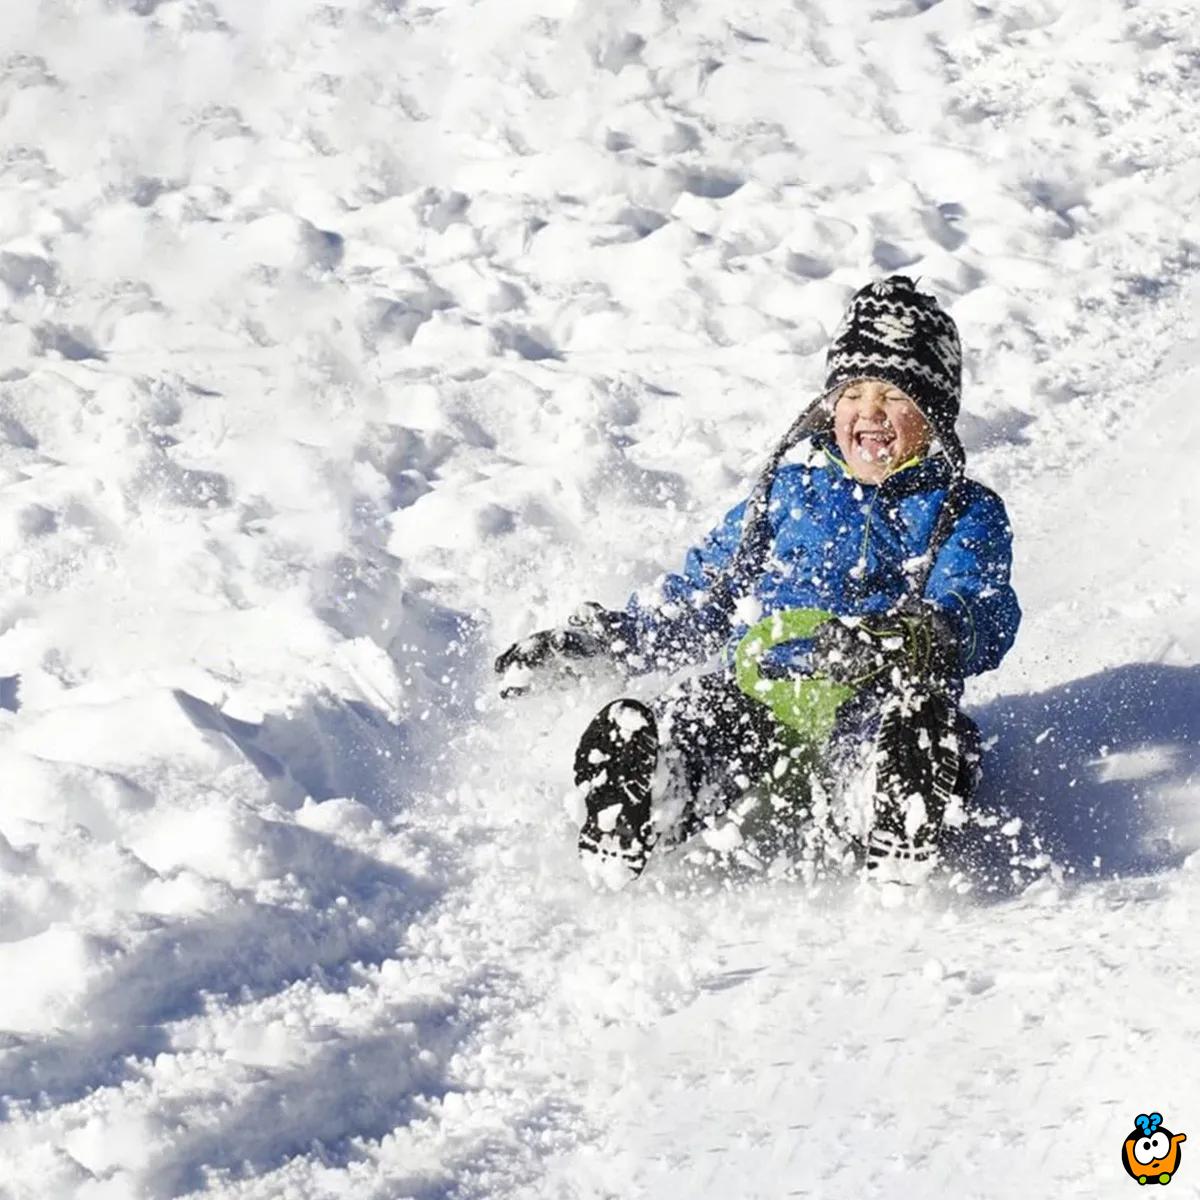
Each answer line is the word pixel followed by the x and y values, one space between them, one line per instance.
pixel 916 640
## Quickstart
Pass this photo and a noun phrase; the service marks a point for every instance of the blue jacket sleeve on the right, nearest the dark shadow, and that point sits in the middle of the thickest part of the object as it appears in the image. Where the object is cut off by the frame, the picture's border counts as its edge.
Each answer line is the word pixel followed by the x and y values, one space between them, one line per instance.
pixel 970 584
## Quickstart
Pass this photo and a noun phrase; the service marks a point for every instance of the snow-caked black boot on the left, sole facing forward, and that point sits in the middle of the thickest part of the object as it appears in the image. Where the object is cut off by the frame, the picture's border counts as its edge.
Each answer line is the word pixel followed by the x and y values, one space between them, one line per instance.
pixel 615 770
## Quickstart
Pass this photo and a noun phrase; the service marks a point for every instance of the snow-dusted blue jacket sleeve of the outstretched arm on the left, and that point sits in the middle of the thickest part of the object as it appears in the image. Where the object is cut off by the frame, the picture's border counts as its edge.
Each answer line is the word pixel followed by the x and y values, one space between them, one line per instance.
pixel 681 622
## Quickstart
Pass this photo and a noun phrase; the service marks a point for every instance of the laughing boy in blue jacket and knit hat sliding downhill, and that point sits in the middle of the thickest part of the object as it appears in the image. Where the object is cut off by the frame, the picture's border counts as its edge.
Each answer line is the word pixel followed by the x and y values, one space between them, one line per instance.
pixel 907 561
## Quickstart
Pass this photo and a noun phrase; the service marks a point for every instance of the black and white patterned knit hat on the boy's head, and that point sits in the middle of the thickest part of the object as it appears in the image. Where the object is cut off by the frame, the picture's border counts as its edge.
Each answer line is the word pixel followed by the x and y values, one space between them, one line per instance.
pixel 903 337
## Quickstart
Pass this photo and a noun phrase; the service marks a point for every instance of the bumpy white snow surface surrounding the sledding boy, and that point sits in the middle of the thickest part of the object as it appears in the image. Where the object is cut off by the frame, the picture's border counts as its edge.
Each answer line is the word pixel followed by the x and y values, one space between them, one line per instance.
pixel 345 343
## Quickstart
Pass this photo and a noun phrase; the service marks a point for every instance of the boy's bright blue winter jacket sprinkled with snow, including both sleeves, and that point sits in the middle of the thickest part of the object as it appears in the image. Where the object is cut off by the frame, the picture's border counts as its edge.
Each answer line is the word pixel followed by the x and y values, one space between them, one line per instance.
pixel 844 547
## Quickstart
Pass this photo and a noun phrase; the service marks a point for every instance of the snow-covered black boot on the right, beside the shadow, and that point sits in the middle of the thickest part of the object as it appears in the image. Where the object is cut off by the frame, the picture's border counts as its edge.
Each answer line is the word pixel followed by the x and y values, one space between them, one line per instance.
pixel 926 769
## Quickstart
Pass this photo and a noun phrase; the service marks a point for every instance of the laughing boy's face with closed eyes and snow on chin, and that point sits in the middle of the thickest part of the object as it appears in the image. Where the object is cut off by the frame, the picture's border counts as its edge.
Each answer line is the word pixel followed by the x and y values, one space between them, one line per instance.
pixel 878 429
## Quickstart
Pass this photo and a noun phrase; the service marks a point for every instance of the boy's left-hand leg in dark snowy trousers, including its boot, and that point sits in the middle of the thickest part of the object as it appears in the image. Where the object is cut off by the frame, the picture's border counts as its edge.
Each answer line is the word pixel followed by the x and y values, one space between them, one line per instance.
pixel 658 772
